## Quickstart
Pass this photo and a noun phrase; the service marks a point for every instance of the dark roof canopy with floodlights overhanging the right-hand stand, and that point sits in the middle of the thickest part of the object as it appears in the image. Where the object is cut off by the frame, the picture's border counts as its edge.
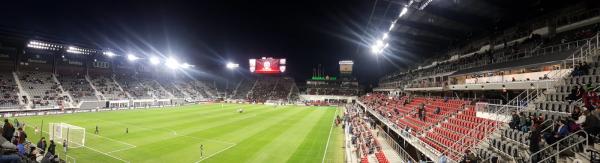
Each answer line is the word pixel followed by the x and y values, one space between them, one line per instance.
pixel 445 24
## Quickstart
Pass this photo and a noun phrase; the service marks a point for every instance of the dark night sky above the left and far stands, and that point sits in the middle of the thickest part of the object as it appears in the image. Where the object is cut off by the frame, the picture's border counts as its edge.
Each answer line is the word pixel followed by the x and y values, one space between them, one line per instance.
pixel 208 33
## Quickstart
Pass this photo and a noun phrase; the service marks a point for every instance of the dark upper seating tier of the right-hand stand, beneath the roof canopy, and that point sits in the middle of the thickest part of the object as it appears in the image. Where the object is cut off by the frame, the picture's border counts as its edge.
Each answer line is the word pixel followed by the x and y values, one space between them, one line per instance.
pixel 529 47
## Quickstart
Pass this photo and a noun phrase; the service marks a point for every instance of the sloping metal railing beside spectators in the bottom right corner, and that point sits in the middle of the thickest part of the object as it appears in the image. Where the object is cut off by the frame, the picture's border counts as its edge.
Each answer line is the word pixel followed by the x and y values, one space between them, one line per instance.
pixel 573 140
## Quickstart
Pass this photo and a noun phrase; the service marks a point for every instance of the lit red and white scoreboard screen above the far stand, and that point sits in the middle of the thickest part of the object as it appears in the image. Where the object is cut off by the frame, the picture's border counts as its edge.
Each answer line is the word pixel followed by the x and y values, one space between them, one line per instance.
pixel 267 65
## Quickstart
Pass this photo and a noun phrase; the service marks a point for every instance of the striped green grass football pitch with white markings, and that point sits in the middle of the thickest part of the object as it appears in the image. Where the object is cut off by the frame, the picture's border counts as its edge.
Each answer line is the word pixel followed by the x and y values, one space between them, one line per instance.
pixel 261 134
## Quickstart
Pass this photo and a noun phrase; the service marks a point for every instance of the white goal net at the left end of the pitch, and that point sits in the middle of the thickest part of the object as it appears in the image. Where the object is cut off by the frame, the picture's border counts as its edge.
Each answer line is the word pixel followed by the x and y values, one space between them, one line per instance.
pixel 74 135
